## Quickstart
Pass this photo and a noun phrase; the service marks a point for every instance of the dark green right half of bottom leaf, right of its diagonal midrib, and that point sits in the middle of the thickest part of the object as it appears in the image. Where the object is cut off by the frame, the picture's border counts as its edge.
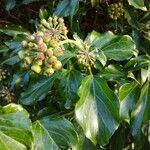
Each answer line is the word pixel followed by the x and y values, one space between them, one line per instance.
pixel 61 130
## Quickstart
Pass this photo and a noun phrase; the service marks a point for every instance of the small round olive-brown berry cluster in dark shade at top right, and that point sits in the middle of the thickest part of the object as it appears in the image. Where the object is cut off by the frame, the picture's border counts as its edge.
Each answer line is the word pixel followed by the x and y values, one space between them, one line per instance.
pixel 115 10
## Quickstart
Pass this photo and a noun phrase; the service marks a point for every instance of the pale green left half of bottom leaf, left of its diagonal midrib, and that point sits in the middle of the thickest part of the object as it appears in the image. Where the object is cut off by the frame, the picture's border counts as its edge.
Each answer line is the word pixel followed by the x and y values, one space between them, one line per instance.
pixel 42 138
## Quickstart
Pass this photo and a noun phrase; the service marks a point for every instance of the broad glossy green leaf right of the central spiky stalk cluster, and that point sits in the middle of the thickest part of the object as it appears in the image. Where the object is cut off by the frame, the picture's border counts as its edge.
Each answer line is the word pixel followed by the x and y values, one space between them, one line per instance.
pixel 116 47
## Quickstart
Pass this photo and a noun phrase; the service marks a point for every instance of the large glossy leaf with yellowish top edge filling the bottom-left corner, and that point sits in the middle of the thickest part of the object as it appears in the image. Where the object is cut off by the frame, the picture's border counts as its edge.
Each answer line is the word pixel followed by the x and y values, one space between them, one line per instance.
pixel 15 131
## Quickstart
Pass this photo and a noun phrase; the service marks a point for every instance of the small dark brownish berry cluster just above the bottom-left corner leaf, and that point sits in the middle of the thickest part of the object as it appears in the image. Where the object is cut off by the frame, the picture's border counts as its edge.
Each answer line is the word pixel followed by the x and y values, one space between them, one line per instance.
pixel 6 94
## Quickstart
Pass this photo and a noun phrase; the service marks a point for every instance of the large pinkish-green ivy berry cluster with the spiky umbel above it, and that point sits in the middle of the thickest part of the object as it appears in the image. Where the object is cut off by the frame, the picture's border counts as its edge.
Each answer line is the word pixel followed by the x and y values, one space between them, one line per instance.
pixel 41 49
